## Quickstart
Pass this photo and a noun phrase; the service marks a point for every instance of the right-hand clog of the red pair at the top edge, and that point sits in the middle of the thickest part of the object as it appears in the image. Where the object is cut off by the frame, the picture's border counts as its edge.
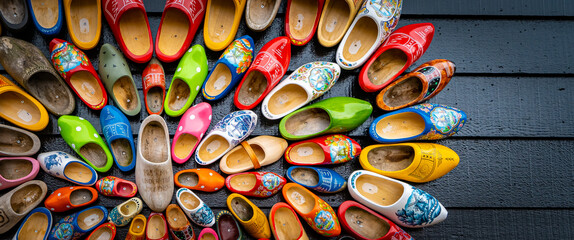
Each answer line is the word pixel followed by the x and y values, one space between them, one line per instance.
pixel 179 16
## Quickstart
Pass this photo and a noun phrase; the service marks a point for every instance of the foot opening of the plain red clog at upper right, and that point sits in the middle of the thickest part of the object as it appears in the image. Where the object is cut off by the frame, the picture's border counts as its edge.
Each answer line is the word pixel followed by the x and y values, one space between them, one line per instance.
pixel 386 66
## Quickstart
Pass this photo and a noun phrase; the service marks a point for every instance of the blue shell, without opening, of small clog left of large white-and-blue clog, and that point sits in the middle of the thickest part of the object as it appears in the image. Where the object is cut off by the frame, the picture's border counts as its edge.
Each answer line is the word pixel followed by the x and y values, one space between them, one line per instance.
pixel 329 180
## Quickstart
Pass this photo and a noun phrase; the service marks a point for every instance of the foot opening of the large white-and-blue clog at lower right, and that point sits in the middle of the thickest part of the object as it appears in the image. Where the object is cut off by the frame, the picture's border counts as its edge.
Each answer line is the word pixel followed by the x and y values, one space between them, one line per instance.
pixel 379 190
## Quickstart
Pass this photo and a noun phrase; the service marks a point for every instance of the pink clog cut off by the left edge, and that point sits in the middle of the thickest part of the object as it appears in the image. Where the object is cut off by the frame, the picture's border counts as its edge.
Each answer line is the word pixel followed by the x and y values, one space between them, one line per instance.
pixel 17 170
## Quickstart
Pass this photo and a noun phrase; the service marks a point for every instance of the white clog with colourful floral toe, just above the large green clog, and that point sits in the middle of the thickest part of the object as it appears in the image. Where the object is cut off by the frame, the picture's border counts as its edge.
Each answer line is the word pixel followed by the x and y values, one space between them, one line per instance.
pixel 306 84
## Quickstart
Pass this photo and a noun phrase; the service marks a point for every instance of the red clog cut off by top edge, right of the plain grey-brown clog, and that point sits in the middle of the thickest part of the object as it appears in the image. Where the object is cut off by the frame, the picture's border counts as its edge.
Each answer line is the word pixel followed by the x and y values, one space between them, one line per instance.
pixel 301 20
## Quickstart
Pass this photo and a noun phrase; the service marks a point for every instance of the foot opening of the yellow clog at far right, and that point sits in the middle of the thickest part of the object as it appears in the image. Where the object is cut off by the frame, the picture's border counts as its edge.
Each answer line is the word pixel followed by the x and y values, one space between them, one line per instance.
pixel 391 158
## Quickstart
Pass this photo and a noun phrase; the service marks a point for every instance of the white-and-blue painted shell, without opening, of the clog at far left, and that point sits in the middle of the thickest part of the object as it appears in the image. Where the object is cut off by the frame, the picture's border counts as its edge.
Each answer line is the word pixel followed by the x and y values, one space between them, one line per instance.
pixel 55 163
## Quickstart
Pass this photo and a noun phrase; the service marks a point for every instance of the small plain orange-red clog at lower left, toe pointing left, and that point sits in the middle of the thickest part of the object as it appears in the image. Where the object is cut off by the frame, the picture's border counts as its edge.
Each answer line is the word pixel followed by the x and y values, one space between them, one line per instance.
pixel 68 198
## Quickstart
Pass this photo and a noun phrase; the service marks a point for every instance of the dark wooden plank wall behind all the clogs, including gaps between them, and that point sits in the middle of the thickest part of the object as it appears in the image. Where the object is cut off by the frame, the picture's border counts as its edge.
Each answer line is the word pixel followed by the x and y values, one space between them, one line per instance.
pixel 515 80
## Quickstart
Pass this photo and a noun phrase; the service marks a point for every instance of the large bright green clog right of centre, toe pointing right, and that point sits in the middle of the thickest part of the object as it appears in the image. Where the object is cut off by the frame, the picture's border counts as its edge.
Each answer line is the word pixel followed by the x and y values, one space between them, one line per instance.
pixel 333 115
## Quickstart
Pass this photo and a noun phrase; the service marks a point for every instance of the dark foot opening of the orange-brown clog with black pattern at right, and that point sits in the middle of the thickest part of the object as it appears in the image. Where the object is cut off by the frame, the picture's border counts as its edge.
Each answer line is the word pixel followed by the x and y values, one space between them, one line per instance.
pixel 403 93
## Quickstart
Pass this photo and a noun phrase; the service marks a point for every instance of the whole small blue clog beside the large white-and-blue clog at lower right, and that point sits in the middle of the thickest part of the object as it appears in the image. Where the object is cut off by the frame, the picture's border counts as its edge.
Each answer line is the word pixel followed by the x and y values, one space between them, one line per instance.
pixel 319 179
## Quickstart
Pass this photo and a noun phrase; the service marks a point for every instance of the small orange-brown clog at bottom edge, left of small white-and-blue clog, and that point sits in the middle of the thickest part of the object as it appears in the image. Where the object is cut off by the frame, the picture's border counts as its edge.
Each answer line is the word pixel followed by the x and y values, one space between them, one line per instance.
pixel 179 226
